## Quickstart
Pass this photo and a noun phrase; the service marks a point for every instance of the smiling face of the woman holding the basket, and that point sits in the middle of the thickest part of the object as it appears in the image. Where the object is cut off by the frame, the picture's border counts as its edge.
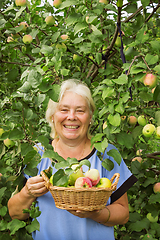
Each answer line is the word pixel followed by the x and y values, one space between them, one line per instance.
pixel 72 117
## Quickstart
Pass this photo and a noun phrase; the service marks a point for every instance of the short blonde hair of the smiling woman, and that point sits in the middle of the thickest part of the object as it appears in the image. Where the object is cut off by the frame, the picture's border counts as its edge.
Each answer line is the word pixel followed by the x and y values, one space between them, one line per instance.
pixel 75 86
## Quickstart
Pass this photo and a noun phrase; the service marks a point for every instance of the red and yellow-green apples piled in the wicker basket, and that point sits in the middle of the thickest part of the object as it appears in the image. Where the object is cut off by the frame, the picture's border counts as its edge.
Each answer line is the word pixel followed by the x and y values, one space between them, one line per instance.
pixel 90 179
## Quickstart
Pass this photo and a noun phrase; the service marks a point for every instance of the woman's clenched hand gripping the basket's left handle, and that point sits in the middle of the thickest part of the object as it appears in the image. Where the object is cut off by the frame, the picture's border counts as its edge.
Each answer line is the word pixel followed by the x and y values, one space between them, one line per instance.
pixel 35 186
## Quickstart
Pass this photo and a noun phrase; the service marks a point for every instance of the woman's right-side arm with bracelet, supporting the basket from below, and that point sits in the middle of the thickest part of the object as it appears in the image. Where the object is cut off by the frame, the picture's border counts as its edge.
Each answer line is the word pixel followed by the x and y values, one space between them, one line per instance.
pixel 114 214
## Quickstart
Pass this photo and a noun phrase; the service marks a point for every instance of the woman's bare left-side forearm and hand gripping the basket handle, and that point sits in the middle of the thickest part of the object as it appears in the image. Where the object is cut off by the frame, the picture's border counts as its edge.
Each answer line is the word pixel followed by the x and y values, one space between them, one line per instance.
pixel 34 188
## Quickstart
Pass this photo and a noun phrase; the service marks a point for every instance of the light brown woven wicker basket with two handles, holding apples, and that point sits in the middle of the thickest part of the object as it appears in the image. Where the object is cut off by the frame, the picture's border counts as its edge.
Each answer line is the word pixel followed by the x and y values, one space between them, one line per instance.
pixel 86 199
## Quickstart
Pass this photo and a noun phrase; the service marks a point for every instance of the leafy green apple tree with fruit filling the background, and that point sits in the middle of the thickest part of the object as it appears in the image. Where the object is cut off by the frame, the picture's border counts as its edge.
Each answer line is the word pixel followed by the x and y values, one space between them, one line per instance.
pixel 111 45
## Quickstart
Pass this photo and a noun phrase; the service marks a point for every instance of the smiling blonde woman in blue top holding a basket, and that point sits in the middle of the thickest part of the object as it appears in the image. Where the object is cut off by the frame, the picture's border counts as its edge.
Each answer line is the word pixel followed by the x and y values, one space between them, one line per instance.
pixel 70 120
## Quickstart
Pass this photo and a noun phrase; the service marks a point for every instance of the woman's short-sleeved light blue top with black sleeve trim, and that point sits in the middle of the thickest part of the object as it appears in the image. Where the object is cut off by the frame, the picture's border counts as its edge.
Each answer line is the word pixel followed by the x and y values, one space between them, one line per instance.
pixel 58 224
